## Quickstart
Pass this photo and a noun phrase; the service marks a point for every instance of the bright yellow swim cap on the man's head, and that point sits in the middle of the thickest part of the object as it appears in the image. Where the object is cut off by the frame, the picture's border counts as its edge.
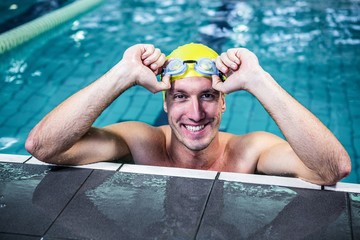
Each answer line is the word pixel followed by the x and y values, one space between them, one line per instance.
pixel 191 51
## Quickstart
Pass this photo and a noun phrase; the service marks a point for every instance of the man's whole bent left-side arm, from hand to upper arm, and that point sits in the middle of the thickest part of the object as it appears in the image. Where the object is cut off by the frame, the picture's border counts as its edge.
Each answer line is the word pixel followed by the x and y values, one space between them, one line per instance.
pixel 66 135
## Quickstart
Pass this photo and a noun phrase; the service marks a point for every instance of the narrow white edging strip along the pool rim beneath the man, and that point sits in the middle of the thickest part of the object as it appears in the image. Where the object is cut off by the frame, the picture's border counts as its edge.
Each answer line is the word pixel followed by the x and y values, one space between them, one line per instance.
pixel 194 173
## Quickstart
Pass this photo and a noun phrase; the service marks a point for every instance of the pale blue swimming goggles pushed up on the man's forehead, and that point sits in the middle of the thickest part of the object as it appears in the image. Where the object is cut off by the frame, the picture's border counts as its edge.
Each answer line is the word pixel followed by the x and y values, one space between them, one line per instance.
pixel 204 66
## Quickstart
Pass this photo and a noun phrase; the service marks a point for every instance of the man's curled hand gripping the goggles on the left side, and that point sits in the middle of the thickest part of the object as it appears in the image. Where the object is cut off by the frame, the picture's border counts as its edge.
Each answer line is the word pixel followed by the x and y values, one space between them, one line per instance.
pixel 144 61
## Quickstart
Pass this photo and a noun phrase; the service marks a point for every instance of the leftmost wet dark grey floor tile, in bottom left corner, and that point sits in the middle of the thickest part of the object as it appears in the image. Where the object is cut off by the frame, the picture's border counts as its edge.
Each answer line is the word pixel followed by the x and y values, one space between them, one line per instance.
pixel 33 196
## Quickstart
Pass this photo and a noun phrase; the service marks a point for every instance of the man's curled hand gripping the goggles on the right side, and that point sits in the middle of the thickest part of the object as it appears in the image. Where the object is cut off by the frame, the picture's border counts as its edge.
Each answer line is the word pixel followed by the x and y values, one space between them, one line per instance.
pixel 240 66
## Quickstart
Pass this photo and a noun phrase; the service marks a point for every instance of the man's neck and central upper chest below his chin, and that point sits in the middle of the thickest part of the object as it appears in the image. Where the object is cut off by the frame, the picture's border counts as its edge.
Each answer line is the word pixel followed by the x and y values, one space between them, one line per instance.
pixel 208 158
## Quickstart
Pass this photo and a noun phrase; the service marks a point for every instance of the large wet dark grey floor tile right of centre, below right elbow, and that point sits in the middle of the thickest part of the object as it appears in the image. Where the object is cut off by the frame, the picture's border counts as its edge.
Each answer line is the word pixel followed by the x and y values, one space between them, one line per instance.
pixel 267 212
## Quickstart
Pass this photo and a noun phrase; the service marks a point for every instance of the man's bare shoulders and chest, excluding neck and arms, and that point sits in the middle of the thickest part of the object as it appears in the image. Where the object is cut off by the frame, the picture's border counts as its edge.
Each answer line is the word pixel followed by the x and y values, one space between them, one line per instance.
pixel 235 153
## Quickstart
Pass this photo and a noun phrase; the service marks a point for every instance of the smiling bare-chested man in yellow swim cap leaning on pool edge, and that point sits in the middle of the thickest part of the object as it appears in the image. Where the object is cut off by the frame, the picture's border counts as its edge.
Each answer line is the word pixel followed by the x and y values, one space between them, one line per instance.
pixel 194 101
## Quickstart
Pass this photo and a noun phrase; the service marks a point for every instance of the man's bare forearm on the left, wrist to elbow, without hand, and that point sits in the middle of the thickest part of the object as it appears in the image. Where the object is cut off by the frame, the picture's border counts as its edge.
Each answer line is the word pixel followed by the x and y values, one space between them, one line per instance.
pixel 73 118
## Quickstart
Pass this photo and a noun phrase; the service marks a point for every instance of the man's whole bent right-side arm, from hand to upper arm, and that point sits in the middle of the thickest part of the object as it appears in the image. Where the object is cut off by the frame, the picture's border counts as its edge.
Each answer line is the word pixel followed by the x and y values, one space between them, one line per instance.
pixel 312 152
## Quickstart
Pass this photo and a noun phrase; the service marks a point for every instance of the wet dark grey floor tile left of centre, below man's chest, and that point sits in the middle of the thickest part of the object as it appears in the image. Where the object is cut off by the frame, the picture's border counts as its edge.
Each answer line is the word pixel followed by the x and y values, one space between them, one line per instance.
pixel 132 206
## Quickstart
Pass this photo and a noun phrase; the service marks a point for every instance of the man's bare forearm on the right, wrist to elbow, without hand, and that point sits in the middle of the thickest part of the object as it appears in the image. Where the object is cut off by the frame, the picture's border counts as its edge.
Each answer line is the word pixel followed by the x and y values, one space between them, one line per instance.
pixel 312 142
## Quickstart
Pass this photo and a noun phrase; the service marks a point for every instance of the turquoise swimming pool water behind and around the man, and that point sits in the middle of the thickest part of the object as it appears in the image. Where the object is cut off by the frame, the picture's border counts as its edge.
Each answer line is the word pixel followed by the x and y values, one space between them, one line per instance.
pixel 310 47
